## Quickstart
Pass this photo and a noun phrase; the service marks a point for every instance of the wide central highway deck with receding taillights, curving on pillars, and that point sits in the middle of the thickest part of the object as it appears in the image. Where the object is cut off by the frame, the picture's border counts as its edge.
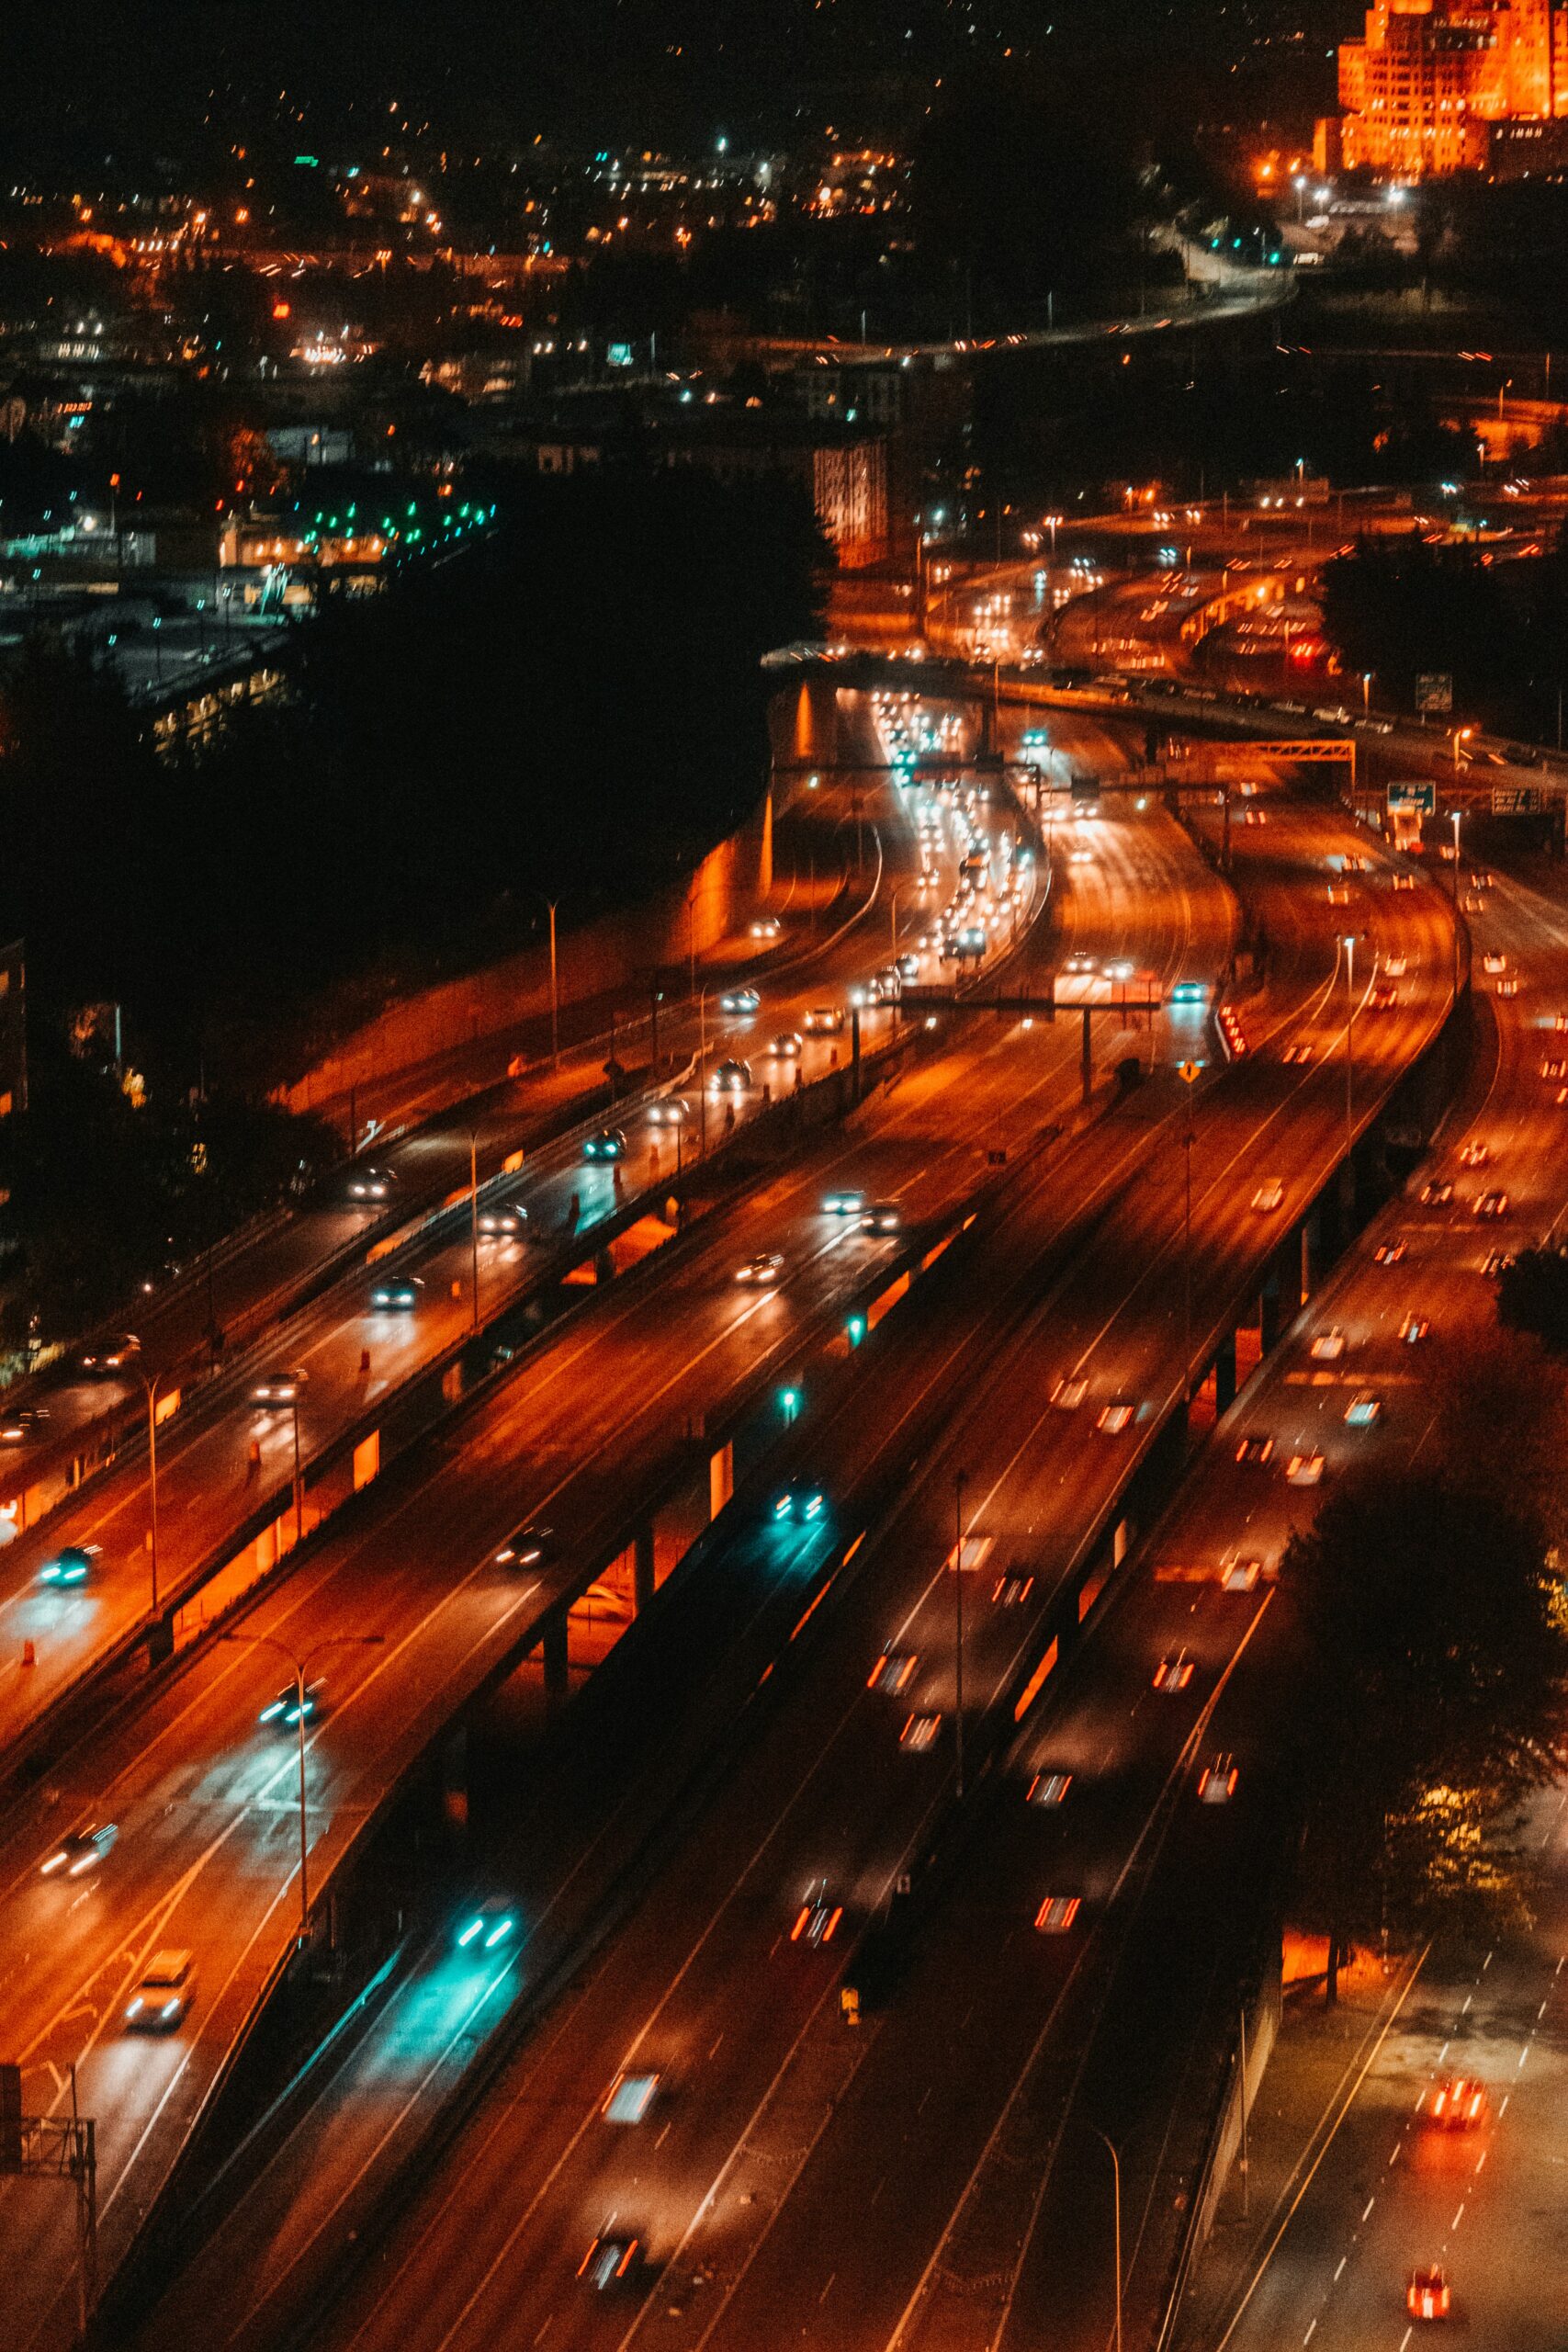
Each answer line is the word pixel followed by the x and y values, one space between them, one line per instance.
pixel 751 2193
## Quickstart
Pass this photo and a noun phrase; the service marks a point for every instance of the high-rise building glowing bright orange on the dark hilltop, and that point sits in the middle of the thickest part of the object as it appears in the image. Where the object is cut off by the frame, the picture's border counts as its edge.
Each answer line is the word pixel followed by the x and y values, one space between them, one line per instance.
pixel 1426 83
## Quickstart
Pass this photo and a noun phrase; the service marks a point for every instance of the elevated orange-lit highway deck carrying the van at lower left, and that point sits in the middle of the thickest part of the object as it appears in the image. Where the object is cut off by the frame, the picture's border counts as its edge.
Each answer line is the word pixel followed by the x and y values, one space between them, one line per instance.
pixel 206 1798
